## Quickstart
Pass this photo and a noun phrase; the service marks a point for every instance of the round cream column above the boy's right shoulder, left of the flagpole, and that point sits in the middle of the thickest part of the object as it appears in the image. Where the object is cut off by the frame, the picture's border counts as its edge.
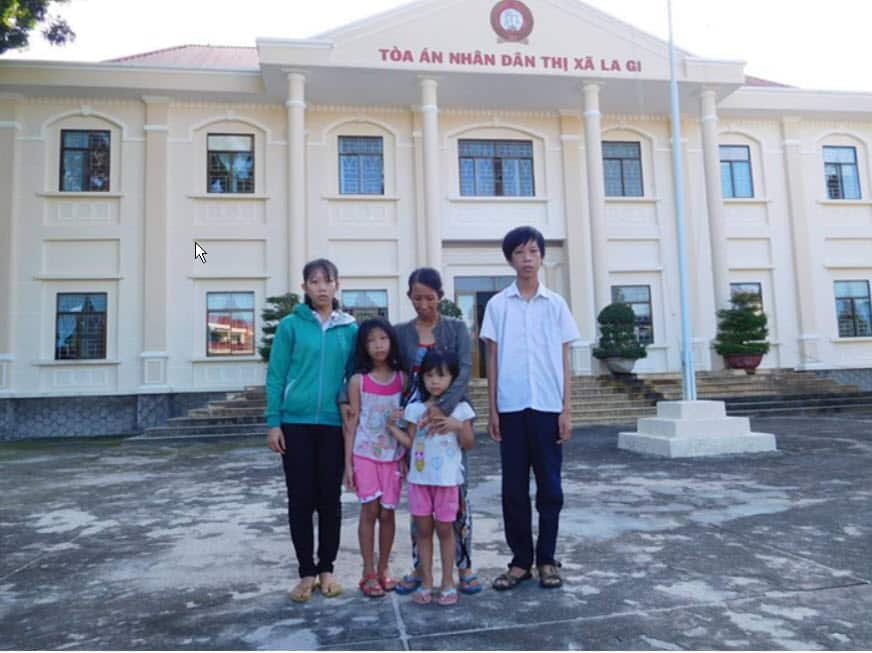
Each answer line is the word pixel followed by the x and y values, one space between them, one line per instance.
pixel 596 195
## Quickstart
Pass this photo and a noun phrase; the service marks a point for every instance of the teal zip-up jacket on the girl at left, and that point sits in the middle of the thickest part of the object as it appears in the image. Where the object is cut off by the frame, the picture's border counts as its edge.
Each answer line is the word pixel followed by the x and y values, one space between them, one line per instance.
pixel 307 366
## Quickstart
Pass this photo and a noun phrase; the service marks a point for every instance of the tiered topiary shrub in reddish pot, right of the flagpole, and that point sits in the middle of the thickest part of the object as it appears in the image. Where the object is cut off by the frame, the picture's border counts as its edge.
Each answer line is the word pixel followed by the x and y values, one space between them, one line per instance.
pixel 742 333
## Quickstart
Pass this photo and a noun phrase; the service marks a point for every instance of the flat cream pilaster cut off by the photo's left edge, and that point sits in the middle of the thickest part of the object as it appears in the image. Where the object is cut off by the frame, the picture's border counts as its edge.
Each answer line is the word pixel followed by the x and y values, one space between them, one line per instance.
pixel 9 128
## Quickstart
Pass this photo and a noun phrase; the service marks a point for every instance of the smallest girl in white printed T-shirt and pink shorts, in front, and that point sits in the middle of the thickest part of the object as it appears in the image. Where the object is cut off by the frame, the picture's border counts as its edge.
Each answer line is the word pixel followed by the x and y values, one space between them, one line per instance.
pixel 436 470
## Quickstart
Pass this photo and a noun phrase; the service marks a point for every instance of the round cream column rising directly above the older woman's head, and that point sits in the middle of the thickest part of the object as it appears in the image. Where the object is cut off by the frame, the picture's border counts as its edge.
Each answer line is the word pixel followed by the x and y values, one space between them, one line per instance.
pixel 430 129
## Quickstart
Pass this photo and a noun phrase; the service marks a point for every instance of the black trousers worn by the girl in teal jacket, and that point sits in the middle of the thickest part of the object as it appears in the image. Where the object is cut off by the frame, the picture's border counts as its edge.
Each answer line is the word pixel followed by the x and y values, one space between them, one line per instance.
pixel 314 462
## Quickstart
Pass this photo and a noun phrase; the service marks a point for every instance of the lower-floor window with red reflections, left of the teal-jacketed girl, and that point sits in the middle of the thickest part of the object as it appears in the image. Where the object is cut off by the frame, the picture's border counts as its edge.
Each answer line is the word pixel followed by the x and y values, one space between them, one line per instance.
pixel 229 323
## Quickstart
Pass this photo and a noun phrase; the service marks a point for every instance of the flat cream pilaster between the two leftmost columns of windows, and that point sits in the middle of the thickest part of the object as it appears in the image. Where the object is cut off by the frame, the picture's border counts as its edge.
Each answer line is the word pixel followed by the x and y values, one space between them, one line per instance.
pixel 155 334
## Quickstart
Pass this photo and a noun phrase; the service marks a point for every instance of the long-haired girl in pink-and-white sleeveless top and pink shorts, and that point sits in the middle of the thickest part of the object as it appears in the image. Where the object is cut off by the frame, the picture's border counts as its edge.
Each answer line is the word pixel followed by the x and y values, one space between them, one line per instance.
pixel 372 456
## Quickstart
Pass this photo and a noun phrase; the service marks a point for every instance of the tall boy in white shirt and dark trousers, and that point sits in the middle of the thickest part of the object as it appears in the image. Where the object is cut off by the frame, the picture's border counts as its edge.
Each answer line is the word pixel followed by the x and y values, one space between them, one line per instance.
pixel 528 329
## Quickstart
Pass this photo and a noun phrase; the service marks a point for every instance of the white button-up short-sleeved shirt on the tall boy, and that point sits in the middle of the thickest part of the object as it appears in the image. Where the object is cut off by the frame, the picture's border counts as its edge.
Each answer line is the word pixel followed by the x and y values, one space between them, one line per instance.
pixel 530 335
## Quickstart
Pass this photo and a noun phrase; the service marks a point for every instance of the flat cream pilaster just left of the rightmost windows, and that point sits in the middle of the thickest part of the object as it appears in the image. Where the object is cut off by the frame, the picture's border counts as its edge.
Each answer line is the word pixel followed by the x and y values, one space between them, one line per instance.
pixel 800 233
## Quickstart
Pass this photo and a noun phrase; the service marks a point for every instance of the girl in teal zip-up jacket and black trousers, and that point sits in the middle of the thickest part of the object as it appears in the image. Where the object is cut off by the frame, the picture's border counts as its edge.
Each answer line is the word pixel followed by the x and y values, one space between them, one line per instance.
pixel 311 357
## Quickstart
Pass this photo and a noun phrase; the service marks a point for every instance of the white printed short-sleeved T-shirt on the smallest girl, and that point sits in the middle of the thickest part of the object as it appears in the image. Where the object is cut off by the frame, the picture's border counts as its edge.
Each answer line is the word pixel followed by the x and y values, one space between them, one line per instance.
pixel 437 458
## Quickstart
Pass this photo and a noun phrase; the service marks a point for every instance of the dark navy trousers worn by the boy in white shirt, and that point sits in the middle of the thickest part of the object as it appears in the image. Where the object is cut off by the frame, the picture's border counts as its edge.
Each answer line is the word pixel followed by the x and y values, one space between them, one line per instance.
pixel 529 438
